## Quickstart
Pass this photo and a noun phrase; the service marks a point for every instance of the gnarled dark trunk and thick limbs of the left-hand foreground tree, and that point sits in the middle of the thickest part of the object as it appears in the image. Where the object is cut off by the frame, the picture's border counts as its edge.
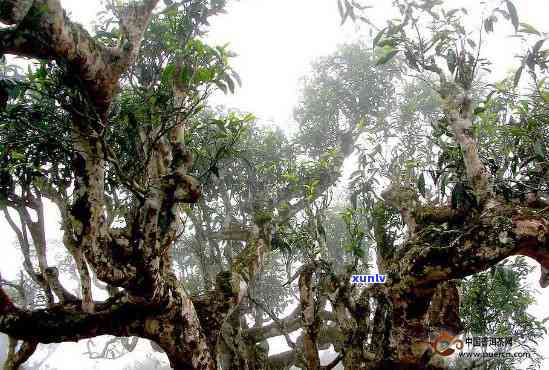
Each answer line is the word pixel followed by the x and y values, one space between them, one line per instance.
pixel 153 304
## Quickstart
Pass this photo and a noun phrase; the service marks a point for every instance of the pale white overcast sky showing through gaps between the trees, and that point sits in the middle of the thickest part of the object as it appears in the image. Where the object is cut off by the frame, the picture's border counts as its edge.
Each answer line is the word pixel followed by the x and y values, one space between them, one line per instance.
pixel 276 40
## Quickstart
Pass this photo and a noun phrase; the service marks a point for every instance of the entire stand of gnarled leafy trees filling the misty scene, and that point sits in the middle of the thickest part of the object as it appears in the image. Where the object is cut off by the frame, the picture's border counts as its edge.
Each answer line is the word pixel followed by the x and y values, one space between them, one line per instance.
pixel 152 185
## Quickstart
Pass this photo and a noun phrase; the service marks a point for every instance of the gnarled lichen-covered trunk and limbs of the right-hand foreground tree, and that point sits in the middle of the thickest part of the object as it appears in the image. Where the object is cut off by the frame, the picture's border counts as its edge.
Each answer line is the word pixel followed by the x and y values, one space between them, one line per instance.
pixel 420 286
